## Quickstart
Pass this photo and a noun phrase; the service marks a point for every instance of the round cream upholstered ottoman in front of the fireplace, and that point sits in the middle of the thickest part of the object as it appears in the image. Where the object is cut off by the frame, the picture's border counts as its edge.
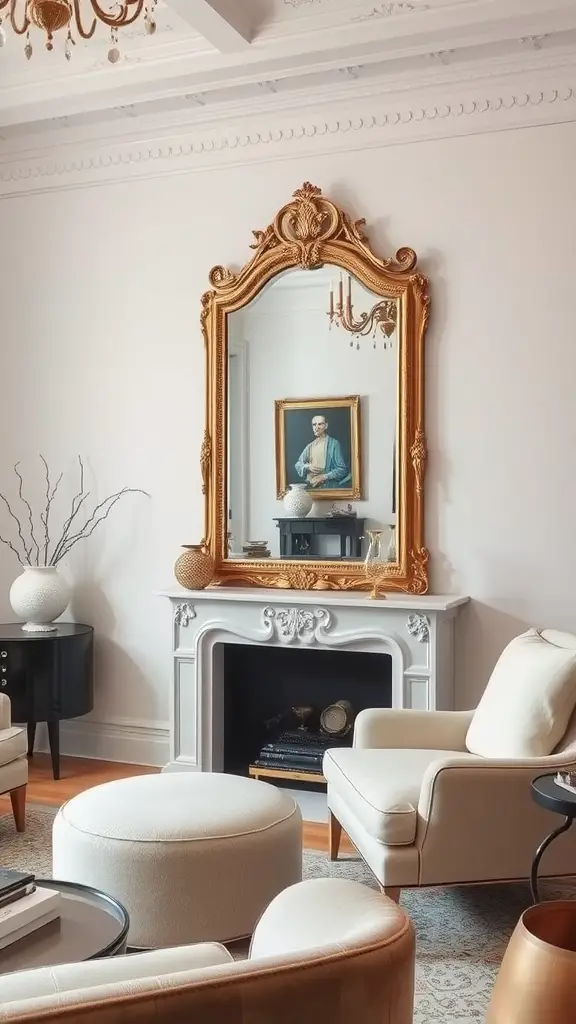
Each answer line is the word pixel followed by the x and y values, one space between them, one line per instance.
pixel 192 857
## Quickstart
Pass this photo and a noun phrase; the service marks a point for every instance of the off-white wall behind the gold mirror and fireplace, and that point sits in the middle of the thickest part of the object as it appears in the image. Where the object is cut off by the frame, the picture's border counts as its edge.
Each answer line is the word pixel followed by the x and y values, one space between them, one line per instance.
pixel 102 354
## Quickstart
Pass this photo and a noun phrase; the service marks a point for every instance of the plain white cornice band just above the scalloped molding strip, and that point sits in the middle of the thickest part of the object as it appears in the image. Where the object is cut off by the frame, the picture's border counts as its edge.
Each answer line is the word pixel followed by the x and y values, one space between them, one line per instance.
pixel 177 113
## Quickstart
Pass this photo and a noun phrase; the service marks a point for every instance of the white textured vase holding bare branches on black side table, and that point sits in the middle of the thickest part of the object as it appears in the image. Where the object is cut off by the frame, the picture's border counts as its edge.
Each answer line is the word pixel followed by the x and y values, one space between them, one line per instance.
pixel 39 596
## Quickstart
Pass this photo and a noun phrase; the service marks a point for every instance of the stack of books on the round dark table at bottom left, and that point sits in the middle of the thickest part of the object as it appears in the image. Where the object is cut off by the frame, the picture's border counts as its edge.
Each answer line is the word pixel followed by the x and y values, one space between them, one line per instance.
pixel 24 907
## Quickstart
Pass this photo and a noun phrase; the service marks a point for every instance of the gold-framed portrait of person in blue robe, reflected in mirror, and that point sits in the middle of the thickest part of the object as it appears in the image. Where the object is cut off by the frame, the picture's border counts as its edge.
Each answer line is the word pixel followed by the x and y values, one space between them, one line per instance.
pixel 318 444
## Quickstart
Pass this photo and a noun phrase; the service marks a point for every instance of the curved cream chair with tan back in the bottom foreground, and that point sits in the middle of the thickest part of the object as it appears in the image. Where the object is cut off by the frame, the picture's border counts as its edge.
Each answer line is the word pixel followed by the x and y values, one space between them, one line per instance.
pixel 324 951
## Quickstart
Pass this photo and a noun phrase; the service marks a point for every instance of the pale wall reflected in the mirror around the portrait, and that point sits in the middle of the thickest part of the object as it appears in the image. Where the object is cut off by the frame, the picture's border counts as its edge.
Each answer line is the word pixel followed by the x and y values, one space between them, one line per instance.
pixel 292 353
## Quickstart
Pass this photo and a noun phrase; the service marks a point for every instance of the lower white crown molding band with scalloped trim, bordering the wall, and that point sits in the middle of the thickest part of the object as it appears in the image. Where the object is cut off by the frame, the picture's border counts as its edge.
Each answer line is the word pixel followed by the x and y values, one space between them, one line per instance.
pixel 361 124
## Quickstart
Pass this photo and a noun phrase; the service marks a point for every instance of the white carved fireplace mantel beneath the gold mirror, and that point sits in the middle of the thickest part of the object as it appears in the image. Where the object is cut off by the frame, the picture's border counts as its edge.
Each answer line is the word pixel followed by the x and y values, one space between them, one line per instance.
pixel 417 632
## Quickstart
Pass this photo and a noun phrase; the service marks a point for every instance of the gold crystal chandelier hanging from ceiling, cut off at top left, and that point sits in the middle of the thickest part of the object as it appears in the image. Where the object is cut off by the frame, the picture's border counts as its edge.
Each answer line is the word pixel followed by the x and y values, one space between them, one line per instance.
pixel 79 19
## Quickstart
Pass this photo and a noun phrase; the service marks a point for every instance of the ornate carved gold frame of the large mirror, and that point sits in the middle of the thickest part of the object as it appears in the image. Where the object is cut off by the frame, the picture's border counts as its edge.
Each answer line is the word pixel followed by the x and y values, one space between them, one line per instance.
pixel 306 234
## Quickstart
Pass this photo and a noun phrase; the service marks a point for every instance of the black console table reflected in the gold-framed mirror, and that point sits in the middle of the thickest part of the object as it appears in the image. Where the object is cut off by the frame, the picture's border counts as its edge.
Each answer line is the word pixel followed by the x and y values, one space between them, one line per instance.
pixel 299 538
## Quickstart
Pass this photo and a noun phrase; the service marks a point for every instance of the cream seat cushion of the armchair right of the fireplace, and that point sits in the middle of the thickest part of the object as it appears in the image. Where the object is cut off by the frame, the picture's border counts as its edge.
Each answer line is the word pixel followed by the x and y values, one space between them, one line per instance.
pixel 383 788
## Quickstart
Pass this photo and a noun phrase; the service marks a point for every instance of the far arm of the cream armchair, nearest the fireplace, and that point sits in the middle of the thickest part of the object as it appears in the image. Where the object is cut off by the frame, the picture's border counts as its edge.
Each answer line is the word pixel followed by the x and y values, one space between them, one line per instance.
pixel 385 728
